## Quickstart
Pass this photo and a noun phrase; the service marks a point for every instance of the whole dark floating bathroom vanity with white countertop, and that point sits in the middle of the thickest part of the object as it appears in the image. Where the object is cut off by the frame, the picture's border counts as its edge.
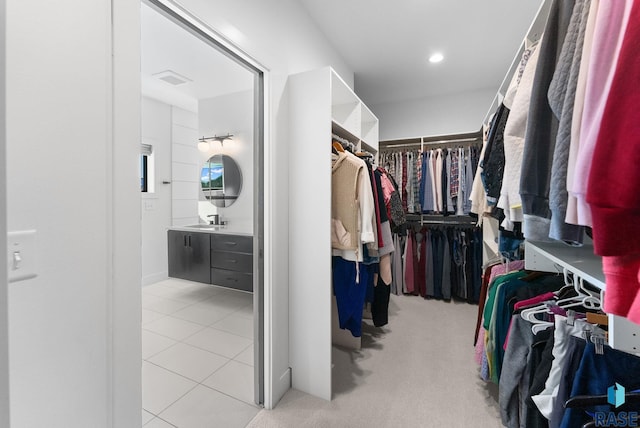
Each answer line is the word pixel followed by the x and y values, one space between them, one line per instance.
pixel 211 255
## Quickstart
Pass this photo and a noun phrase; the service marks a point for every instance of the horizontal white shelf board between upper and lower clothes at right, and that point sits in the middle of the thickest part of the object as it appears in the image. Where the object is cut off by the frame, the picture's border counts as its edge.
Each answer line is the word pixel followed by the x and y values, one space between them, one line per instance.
pixel 553 256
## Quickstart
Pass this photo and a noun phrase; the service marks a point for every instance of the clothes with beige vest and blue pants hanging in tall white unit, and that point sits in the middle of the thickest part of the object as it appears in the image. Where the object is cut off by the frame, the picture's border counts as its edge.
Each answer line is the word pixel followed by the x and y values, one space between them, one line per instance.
pixel 361 240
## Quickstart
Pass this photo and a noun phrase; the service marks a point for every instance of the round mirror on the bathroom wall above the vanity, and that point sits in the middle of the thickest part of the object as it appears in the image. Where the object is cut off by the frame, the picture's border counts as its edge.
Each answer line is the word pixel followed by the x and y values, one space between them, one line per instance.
pixel 221 180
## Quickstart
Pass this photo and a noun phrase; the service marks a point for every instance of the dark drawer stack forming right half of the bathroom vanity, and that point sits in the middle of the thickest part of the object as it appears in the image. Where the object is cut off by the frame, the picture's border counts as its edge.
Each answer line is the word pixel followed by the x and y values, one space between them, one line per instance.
pixel 232 261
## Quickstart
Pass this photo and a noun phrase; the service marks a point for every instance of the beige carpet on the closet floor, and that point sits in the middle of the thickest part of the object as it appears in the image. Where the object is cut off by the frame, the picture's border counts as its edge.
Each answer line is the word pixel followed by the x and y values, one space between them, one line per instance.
pixel 418 371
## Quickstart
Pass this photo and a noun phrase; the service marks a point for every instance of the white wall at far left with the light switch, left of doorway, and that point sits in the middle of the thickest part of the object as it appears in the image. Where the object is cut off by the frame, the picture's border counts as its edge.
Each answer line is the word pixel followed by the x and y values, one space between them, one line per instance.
pixel 73 135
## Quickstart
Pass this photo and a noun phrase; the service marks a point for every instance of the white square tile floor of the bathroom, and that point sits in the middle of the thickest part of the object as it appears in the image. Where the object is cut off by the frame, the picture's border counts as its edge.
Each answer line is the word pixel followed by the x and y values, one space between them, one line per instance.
pixel 197 351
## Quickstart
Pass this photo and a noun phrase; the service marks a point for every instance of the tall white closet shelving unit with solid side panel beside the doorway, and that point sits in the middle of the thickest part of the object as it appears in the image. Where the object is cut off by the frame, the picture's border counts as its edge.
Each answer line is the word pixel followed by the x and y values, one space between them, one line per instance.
pixel 320 103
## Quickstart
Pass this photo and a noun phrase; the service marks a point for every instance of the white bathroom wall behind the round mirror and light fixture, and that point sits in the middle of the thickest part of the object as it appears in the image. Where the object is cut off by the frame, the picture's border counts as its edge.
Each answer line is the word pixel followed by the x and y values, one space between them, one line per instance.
pixel 231 113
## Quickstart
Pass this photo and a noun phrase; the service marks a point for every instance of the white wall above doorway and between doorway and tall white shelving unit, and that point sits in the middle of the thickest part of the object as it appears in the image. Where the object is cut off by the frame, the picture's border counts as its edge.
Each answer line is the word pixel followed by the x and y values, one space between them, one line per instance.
pixel 281 36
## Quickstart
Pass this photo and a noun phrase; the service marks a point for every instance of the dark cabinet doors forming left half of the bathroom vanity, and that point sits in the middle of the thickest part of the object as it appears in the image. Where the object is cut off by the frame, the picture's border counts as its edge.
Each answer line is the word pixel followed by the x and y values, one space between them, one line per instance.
pixel 189 255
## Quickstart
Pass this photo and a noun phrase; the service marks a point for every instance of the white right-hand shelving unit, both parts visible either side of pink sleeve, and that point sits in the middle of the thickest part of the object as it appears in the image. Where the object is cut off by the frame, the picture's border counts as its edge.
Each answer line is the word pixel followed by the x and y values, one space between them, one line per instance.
pixel 581 261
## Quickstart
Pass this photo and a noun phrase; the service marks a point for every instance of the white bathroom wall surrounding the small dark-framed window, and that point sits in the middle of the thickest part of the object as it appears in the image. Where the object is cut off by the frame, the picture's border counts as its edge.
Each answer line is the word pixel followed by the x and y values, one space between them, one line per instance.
pixel 156 206
